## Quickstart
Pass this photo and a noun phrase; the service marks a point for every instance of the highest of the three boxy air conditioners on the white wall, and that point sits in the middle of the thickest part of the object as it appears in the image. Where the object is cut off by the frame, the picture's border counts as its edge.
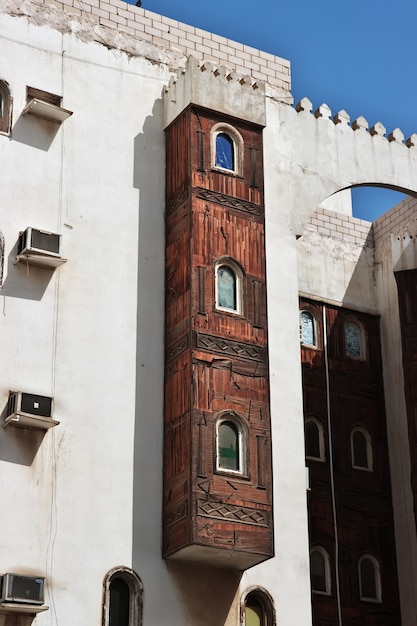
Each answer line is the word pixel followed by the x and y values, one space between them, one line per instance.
pixel 39 247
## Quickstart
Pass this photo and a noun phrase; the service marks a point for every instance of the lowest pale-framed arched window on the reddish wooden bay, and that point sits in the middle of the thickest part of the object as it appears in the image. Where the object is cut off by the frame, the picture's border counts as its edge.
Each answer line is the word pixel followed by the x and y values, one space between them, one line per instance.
pixel 231 445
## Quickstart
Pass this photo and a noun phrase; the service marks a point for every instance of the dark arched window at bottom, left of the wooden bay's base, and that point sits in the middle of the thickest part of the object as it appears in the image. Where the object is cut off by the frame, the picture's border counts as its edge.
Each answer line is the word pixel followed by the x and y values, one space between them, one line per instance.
pixel 122 602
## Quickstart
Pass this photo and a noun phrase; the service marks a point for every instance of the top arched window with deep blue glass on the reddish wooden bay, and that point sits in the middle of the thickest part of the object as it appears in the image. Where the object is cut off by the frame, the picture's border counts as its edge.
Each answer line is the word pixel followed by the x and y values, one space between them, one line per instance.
pixel 227 148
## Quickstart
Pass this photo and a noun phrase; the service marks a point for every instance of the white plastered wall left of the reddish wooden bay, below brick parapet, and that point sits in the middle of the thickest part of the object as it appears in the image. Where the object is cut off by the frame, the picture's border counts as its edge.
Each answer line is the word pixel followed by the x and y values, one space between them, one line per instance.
pixel 68 497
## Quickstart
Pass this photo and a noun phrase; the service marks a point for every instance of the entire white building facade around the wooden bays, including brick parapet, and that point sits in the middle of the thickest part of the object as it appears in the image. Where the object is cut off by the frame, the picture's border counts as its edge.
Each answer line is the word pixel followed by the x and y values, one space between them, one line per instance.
pixel 82 500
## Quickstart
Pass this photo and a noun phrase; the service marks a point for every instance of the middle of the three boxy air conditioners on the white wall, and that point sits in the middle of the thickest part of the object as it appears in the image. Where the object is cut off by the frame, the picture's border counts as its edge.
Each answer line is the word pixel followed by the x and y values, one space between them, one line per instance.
pixel 29 411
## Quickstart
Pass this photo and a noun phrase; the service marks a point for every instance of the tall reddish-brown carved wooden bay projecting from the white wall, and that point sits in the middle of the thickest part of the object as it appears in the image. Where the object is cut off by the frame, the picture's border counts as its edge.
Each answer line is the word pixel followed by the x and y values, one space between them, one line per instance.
pixel 216 360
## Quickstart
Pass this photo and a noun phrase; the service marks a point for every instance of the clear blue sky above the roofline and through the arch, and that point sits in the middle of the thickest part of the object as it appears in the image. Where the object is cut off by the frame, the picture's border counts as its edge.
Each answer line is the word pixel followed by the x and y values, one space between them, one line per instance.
pixel 359 56
